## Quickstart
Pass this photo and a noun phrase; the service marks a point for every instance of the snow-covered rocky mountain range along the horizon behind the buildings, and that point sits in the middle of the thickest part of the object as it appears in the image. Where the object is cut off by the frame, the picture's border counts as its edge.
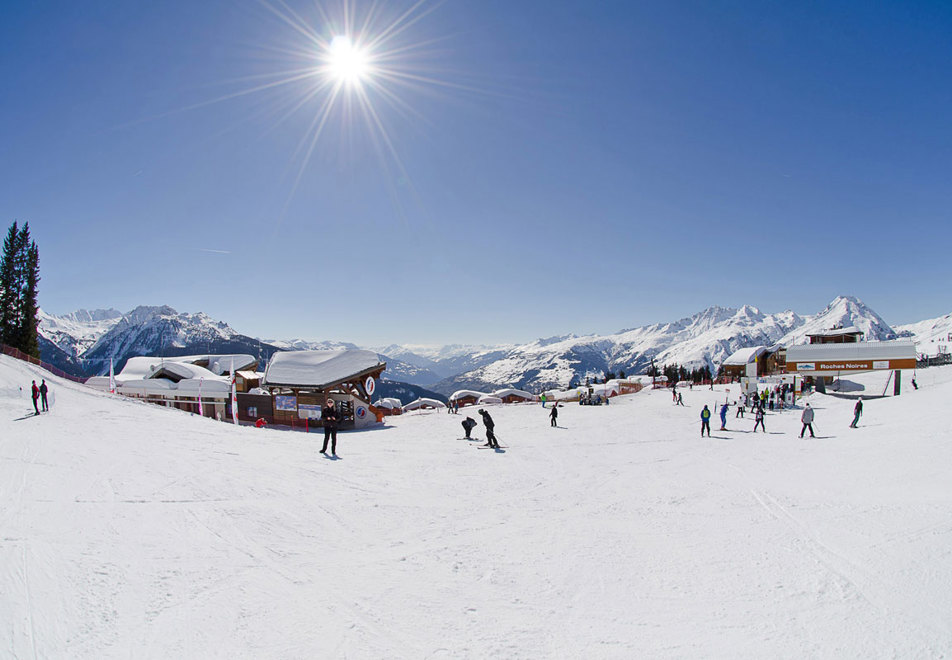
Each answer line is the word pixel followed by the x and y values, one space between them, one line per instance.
pixel 87 340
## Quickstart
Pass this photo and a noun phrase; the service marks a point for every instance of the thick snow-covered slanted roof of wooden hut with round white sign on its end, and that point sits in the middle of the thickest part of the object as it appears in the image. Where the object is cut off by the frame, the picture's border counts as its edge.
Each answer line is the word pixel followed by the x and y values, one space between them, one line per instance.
pixel 318 368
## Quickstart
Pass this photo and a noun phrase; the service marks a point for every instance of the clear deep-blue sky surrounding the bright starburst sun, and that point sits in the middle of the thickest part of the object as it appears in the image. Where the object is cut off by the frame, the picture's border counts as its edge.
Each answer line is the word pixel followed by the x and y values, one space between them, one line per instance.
pixel 556 167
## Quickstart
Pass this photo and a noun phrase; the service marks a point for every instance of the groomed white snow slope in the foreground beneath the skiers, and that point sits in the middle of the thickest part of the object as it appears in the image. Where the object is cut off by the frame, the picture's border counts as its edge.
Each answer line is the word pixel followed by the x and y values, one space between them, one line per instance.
pixel 127 530
